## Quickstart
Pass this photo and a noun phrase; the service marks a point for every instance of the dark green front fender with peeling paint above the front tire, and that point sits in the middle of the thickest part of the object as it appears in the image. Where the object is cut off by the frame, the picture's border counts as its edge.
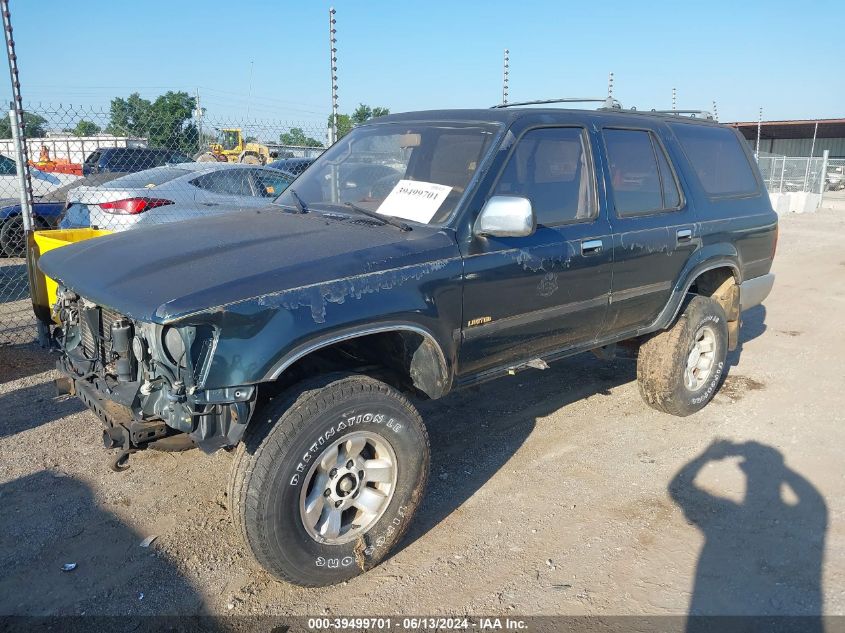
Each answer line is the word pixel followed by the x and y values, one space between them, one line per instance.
pixel 257 340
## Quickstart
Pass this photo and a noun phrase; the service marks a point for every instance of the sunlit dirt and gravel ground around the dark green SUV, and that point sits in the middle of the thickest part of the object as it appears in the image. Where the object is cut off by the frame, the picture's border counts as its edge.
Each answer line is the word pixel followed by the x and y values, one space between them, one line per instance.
pixel 554 492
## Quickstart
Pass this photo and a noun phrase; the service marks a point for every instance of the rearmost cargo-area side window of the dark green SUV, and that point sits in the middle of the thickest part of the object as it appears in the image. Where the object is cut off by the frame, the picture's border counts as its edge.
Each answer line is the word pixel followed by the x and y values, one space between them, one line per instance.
pixel 719 161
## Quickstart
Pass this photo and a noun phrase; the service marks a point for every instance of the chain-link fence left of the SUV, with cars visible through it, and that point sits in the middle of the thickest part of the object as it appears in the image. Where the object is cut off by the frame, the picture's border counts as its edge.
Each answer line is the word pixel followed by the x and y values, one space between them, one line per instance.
pixel 132 165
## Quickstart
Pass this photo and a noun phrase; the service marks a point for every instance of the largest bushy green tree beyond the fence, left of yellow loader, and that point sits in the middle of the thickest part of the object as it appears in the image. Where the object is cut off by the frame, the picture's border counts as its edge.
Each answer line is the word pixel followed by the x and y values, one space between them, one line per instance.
pixel 163 121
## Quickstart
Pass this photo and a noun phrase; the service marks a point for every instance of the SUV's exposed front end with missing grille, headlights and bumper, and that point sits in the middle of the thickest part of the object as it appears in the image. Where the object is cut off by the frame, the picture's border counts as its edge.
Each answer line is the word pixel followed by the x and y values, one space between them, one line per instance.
pixel 144 380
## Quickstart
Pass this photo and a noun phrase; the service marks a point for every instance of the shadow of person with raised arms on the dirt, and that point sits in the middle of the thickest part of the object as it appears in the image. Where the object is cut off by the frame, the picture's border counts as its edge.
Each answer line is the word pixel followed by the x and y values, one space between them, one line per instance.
pixel 763 556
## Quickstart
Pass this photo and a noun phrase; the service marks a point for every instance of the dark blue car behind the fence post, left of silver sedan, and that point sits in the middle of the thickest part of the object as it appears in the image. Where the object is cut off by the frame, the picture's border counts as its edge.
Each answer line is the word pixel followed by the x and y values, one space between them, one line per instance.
pixel 46 213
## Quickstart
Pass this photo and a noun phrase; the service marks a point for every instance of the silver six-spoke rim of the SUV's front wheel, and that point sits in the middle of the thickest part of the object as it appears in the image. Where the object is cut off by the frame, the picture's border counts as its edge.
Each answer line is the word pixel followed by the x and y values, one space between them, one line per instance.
pixel 348 488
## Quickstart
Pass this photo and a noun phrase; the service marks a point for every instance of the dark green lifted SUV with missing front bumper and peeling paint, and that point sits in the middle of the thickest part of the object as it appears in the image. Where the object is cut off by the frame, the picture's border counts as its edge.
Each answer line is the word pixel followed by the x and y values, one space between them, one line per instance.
pixel 300 333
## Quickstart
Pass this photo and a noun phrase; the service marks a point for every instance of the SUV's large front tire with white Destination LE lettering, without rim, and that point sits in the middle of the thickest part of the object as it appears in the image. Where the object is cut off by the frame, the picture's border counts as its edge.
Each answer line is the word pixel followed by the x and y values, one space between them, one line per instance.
pixel 270 467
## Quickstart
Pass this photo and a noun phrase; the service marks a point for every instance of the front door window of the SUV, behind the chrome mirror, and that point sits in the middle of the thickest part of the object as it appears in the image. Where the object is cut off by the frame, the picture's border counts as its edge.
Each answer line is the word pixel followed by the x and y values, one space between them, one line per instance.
pixel 551 167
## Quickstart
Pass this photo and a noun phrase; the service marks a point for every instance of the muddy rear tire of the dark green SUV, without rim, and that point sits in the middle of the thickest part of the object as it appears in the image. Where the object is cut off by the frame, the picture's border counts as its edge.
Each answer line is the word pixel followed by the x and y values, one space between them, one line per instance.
pixel 662 360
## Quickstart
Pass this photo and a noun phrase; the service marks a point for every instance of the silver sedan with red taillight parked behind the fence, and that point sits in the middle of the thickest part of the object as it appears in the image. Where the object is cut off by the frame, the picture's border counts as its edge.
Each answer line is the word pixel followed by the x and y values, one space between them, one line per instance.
pixel 169 194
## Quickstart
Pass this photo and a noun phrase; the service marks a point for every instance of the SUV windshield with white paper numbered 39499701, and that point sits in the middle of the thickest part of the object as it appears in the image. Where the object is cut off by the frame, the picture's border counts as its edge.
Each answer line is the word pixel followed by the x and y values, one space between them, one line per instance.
pixel 416 171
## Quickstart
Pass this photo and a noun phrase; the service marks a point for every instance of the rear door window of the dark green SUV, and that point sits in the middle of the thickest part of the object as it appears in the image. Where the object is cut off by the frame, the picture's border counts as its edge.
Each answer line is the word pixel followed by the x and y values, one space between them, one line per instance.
pixel 640 175
